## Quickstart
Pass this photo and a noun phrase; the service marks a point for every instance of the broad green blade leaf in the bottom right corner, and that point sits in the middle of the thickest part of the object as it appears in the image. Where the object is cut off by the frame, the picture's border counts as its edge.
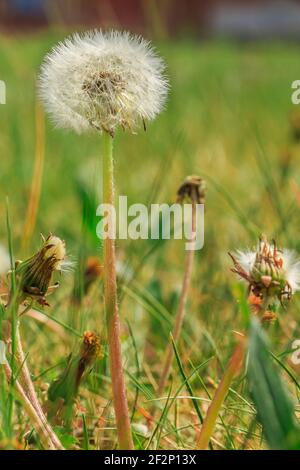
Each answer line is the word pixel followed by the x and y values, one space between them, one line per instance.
pixel 273 403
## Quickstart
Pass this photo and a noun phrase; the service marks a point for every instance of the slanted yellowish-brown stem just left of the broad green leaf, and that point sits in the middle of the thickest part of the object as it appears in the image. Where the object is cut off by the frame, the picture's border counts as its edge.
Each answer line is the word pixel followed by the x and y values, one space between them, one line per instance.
pixel 232 370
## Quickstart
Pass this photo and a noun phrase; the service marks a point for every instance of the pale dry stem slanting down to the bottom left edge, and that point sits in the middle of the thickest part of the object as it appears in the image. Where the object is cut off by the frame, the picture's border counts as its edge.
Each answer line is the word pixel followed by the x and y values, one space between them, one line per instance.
pixel 39 423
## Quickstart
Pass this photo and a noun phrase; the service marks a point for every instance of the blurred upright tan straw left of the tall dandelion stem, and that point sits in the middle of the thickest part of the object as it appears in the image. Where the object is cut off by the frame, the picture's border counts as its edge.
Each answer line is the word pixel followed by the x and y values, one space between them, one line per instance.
pixel 36 184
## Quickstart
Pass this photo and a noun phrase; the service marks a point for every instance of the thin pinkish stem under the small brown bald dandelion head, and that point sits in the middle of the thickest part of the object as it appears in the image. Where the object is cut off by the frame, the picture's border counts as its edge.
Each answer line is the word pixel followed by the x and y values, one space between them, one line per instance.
pixel 189 260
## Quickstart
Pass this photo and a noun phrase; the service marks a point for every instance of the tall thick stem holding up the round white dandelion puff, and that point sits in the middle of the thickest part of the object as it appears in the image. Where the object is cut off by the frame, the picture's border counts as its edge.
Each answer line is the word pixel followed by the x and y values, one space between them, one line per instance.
pixel 111 307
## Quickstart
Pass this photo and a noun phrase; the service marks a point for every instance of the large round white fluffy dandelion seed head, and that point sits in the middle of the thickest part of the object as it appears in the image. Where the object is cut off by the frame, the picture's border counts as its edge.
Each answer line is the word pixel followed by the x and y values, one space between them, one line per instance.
pixel 103 80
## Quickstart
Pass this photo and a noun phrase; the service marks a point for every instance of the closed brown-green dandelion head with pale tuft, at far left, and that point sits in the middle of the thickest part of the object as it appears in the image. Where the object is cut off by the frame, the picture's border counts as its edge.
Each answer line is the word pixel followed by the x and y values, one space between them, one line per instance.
pixel 35 274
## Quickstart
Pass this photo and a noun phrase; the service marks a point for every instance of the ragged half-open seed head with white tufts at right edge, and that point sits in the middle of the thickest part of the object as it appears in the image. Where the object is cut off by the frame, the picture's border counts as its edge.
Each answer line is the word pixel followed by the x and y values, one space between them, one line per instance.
pixel 271 273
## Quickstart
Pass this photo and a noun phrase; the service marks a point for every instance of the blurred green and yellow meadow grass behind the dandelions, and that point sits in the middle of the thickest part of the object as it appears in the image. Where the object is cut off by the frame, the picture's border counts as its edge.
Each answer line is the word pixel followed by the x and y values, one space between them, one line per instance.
pixel 228 120
